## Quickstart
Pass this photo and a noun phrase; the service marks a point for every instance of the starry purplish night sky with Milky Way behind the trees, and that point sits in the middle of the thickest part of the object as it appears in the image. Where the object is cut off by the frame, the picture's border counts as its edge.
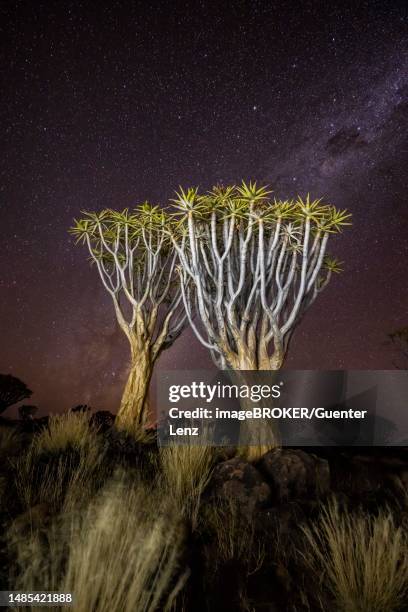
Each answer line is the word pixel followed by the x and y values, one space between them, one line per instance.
pixel 111 106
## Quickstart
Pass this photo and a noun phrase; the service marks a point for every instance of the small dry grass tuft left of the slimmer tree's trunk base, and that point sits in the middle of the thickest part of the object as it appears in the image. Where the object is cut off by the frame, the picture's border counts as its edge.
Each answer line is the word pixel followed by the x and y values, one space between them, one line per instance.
pixel 69 430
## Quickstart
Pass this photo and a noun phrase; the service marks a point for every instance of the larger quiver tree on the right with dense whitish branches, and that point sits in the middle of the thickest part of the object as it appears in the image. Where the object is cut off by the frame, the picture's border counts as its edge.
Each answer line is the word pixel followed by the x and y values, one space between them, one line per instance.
pixel 250 267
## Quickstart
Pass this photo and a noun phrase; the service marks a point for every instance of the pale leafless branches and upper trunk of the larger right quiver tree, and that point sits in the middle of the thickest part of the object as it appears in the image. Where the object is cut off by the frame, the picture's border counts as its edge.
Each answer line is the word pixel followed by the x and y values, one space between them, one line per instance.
pixel 251 289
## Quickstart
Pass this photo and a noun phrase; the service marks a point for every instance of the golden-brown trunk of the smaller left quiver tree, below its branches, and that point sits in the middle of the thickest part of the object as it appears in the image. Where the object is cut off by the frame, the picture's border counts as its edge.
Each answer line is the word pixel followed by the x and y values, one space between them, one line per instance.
pixel 133 407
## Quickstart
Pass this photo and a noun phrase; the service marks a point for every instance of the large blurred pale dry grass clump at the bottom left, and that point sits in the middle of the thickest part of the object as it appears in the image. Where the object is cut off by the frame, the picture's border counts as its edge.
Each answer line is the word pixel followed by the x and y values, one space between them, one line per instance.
pixel 121 554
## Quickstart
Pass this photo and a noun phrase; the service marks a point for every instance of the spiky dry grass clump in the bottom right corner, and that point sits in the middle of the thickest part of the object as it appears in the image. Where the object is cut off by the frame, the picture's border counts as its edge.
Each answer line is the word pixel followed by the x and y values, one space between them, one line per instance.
pixel 363 559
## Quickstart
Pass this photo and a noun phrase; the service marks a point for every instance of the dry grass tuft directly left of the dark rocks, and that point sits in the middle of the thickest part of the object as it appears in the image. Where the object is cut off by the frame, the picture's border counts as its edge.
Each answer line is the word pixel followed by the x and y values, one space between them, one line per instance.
pixel 186 471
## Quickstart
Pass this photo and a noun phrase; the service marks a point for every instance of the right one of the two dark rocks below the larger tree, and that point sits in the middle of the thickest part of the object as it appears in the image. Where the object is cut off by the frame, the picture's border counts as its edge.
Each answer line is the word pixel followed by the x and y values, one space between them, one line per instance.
pixel 294 474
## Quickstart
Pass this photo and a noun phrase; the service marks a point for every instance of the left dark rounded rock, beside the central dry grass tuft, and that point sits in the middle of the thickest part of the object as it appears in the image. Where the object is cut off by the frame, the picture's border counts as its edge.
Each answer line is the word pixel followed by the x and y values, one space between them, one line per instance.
pixel 239 480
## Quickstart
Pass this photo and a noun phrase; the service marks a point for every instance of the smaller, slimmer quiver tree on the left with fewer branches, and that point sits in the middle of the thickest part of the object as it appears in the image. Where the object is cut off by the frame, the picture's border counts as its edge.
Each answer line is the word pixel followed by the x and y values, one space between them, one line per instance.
pixel 136 264
